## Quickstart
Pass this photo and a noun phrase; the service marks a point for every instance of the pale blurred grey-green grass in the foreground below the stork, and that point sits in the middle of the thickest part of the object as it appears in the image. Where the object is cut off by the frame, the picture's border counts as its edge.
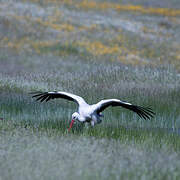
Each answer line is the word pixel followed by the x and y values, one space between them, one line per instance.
pixel 30 153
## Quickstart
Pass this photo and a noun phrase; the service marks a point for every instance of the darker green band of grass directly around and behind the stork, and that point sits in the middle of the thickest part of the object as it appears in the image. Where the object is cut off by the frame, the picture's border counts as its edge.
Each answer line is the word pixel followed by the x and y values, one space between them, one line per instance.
pixel 20 110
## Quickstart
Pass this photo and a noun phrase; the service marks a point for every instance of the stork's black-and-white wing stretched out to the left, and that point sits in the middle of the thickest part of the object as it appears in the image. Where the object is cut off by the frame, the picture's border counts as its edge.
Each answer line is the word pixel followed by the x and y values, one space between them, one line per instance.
pixel 46 96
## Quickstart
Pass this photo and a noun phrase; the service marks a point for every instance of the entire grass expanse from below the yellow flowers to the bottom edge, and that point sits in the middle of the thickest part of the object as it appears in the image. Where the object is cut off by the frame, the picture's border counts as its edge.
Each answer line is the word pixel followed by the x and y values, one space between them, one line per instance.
pixel 123 146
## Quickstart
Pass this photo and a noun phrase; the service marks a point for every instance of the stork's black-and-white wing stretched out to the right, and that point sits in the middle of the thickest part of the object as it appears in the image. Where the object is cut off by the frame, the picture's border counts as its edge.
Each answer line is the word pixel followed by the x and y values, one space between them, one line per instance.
pixel 143 112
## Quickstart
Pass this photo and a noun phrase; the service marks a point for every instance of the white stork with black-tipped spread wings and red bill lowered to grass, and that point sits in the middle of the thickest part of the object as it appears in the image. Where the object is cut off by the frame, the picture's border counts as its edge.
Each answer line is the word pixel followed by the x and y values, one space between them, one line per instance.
pixel 91 113
